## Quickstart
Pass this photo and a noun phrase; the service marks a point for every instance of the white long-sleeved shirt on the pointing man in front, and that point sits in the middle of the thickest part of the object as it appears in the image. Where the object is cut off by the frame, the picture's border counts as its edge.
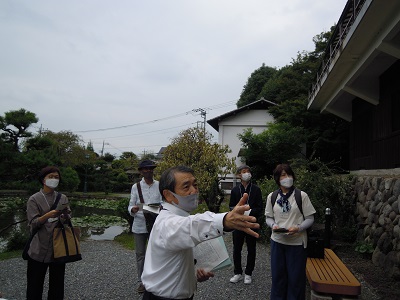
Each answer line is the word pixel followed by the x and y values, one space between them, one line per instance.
pixel 169 269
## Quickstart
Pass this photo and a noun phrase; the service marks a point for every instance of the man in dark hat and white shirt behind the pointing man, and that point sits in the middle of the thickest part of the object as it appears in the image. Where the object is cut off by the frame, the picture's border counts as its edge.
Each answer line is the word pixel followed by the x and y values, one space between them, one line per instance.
pixel 151 194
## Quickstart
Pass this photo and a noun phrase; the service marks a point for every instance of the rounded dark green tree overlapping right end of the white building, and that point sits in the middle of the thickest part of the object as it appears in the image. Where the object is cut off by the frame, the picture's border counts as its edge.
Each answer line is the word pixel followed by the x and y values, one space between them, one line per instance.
pixel 279 143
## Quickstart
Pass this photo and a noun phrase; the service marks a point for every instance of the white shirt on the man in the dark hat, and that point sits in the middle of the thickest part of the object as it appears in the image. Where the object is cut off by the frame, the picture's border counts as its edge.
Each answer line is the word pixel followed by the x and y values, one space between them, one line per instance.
pixel 151 194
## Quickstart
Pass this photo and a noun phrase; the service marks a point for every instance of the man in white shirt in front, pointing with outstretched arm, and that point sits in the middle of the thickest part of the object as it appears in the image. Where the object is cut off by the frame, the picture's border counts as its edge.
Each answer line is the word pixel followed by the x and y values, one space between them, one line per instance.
pixel 169 269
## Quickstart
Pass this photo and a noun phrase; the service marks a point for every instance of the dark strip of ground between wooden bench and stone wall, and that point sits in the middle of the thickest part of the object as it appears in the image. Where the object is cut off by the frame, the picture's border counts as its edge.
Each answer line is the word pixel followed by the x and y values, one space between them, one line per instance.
pixel 366 272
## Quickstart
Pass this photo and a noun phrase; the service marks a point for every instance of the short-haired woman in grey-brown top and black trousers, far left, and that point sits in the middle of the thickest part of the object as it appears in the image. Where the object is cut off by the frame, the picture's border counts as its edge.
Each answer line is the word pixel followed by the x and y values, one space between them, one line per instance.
pixel 43 217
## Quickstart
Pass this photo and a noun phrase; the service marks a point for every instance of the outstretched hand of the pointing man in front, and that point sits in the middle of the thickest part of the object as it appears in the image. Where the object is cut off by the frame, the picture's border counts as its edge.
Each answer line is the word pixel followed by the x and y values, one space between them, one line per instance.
pixel 235 219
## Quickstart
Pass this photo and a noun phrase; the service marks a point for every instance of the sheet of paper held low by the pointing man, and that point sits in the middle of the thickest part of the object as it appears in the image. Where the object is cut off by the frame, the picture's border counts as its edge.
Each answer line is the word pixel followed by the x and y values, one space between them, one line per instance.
pixel 211 255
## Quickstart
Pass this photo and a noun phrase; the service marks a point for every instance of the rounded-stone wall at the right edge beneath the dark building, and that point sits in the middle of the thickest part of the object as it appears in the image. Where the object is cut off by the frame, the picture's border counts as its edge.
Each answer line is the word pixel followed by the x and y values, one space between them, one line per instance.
pixel 378 206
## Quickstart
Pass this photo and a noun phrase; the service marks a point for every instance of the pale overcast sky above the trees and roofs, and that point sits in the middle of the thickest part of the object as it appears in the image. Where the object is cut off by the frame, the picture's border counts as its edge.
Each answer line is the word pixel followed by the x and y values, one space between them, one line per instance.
pixel 130 75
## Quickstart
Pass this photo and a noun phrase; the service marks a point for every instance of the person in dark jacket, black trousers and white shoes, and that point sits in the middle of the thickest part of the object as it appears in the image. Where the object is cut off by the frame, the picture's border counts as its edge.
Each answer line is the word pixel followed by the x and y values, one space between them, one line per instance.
pixel 256 208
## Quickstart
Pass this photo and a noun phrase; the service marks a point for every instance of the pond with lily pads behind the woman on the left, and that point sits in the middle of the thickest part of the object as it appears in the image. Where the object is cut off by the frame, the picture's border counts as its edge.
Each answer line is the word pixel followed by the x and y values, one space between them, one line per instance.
pixel 95 223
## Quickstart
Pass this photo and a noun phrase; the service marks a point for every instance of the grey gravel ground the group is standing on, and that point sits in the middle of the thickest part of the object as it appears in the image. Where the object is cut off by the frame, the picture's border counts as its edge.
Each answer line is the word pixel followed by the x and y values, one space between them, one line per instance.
pixel 108 271
